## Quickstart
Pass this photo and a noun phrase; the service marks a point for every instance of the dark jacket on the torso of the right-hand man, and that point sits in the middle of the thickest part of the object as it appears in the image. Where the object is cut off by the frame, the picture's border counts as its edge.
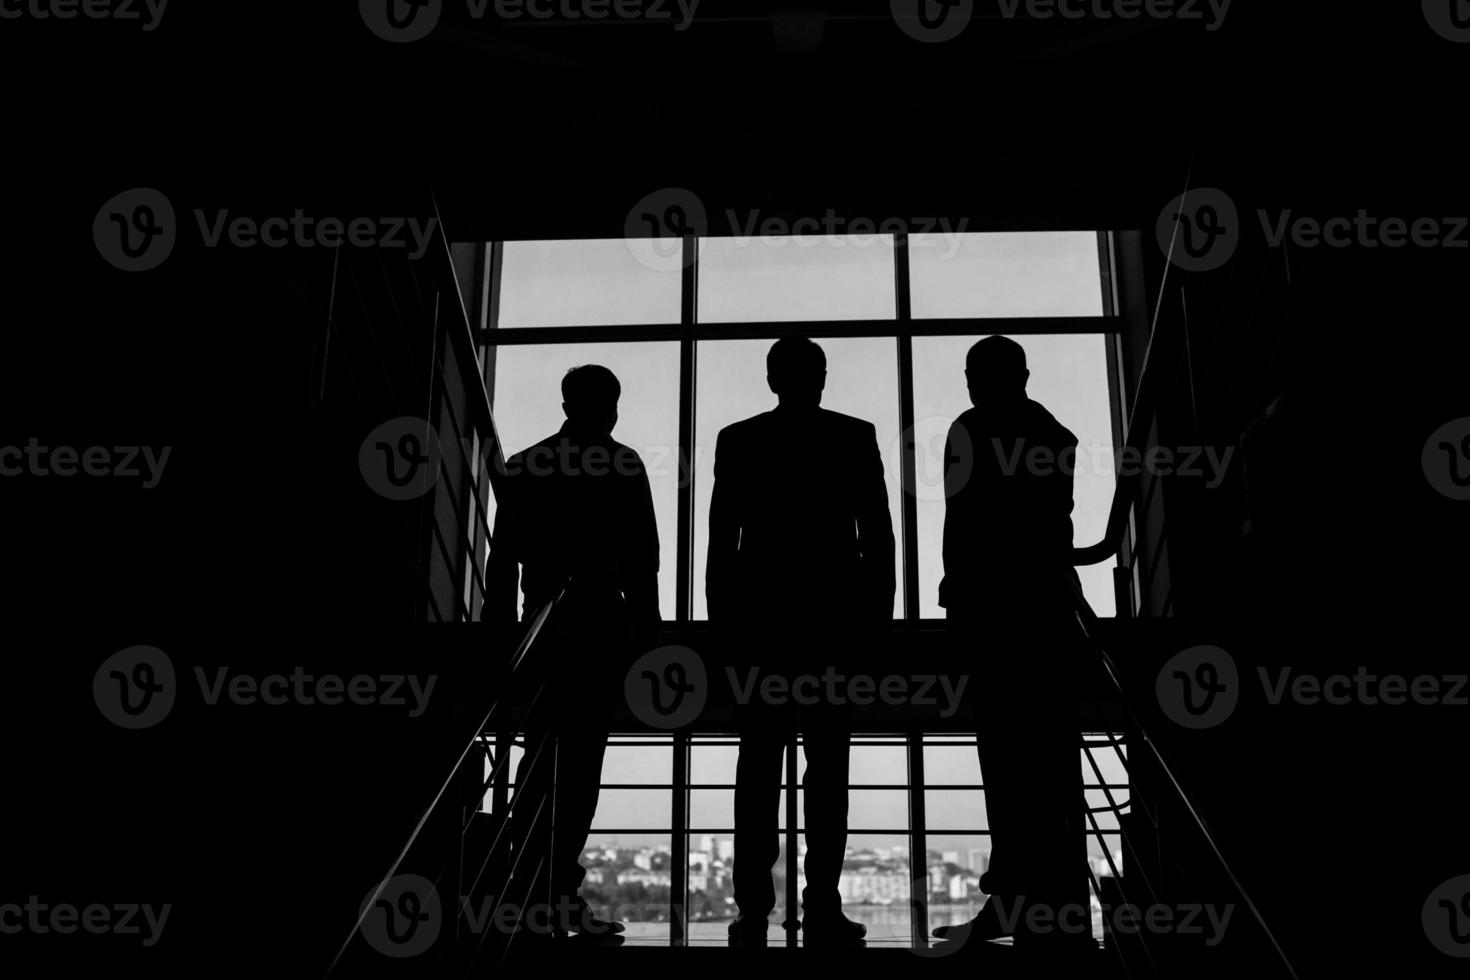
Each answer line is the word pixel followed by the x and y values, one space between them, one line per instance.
pixel 1008 524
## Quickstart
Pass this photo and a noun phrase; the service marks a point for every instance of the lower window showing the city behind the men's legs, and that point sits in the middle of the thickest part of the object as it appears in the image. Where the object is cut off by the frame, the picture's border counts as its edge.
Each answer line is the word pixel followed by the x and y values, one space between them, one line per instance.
pixel 639 851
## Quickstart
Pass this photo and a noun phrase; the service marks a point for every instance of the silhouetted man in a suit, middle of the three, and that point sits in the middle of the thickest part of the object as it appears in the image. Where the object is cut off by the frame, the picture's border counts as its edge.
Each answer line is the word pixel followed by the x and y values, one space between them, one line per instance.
pixel 800 562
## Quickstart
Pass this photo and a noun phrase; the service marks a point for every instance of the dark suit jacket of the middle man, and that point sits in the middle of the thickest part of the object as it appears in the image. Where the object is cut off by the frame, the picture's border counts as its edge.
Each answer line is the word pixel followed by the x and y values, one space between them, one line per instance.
pixel 799 519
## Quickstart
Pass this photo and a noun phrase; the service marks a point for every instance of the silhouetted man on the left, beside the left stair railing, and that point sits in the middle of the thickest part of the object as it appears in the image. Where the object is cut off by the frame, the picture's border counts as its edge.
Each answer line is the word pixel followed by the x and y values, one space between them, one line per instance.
pixel 576 511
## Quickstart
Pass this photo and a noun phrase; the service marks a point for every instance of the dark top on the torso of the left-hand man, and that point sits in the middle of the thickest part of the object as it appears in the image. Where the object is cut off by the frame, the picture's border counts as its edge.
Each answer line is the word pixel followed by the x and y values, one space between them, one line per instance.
pixel 577 509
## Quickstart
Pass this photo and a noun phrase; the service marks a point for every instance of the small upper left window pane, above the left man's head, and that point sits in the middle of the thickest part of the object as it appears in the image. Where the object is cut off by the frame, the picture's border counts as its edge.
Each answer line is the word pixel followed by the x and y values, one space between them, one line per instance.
pixel 593 283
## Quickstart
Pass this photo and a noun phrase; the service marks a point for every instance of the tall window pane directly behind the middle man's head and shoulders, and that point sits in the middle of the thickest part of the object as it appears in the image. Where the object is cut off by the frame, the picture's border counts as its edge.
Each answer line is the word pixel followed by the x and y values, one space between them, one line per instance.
pixel 731 386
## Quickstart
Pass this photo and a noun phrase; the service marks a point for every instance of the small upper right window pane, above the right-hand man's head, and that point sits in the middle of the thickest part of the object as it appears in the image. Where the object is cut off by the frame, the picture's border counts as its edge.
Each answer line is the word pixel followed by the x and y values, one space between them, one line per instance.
pixel 1005 274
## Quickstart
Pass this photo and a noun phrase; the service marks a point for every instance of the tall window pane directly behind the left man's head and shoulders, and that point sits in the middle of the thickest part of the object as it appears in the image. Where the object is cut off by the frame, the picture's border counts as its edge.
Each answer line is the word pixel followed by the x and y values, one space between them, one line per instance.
pixel 527 400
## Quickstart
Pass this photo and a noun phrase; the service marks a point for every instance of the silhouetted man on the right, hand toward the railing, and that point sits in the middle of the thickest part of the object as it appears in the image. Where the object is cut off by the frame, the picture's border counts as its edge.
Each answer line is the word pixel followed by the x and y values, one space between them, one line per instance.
pixel 1008 559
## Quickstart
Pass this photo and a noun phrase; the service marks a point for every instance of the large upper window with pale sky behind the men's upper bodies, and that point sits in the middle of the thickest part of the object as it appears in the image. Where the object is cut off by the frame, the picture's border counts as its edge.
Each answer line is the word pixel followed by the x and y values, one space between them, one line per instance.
pixel 896 317
